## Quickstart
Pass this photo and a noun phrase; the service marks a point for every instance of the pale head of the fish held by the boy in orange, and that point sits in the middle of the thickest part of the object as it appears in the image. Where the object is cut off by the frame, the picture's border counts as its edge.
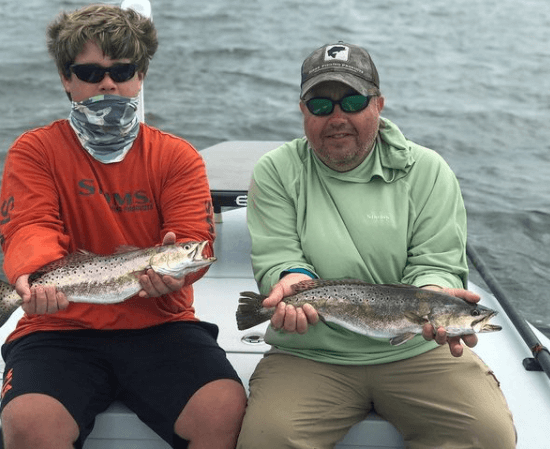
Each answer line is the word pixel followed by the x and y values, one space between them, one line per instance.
pixel 180 259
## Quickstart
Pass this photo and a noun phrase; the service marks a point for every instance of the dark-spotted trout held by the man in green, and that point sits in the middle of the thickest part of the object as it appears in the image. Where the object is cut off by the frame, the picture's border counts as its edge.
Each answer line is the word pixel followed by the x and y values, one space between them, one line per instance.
pixel 397 312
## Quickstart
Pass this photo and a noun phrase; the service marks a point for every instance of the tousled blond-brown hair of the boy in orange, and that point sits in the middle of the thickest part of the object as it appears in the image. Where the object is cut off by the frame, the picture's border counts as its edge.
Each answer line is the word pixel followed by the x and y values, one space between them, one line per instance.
pixel 120 33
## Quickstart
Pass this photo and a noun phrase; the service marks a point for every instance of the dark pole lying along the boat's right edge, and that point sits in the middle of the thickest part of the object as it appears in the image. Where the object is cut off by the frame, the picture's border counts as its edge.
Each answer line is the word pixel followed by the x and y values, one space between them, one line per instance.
pixel 541 354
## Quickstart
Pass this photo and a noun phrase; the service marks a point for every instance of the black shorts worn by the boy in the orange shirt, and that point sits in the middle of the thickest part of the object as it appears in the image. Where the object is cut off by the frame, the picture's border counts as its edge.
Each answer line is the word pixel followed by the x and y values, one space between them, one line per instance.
pixel 154 371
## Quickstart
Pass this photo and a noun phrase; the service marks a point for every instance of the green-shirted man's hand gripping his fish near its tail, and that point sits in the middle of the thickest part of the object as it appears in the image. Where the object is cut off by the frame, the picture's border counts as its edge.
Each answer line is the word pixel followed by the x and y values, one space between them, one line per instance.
pixel 287 317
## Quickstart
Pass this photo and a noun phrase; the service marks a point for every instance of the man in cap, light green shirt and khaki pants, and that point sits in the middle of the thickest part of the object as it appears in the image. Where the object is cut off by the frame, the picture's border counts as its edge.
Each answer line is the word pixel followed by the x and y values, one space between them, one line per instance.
pixel 355 199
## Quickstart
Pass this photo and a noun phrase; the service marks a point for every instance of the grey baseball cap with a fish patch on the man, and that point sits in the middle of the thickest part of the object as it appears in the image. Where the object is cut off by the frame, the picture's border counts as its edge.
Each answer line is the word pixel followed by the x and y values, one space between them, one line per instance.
pixel 346 63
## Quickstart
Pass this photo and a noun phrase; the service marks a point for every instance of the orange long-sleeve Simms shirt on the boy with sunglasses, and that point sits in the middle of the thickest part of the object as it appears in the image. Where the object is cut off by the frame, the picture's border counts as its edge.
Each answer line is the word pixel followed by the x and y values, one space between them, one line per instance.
pixel 57 199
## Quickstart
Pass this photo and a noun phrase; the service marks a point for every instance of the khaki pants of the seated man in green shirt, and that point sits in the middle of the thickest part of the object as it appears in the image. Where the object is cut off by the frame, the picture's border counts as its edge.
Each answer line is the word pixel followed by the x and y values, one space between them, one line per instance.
pixel 435 400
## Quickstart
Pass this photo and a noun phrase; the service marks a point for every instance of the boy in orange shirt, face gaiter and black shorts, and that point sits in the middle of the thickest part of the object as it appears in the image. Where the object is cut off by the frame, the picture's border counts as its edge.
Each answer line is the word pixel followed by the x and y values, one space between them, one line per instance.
pixel 97 181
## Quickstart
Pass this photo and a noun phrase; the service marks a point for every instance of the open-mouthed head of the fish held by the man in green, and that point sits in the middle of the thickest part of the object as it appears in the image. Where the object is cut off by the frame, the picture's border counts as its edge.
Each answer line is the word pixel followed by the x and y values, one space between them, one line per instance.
pixel 464 318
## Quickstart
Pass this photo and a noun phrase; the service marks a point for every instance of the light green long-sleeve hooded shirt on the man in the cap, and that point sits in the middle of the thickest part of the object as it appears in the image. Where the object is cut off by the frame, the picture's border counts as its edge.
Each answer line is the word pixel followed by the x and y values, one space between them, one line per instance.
pixel 397 218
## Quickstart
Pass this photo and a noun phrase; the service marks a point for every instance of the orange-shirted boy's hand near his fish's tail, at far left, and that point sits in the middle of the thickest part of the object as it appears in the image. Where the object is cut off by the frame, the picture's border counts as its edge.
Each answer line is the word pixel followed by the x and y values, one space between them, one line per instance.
pixel 39 300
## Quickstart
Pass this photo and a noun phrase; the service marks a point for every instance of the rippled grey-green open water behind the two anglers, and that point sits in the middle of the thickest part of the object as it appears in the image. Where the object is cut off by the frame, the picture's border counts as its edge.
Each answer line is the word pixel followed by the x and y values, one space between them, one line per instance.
pixel 468 78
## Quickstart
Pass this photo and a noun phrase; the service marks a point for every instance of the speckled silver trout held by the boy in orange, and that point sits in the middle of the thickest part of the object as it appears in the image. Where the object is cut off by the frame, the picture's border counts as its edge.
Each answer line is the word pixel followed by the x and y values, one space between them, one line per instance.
pixel 92 278
